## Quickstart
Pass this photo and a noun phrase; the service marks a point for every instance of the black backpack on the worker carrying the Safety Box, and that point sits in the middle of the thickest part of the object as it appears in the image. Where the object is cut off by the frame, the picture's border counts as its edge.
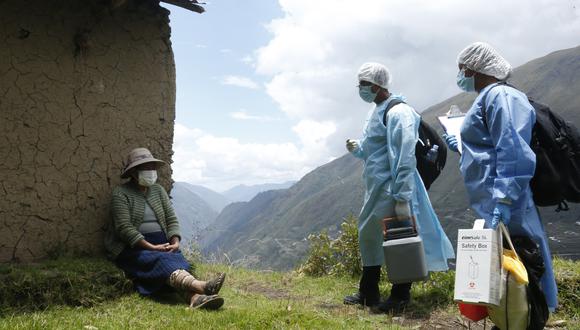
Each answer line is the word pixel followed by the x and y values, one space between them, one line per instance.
pixel 556 143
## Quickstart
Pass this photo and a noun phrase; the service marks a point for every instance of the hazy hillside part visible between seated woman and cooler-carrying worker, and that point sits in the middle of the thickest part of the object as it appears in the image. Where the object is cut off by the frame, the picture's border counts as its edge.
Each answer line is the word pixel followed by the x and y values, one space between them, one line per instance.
pixel 270 230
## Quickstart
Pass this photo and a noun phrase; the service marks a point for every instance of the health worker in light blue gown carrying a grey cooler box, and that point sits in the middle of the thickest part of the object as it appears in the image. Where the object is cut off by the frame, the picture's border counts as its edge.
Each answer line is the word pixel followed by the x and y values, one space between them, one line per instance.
pixel 393 188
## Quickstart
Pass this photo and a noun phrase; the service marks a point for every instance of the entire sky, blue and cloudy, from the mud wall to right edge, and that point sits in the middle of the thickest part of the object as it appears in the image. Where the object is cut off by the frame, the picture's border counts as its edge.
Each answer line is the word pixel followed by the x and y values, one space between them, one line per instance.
pixel 266 89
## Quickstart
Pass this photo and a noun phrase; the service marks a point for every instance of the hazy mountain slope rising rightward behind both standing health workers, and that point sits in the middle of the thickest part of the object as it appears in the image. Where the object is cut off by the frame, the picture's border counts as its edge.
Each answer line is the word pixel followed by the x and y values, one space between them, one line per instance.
pixel 270 231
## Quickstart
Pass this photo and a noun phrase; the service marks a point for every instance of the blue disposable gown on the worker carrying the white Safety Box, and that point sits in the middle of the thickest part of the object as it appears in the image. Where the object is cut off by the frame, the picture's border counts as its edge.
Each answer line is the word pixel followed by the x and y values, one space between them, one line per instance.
pixel 498 163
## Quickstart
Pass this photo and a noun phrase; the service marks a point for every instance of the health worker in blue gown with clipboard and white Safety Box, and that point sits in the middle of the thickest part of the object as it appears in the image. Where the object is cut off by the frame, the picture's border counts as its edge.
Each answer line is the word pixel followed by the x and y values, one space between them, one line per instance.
pixel 497 162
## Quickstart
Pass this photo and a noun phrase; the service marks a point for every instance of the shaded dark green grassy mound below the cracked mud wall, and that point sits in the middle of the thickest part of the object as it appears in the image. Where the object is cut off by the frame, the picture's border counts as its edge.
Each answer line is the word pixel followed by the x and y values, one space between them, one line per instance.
pixel 62 282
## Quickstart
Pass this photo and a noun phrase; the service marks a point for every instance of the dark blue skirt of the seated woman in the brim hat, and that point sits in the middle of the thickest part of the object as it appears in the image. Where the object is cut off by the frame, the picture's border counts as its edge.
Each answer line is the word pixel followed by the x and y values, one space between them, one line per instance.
pixel 150 270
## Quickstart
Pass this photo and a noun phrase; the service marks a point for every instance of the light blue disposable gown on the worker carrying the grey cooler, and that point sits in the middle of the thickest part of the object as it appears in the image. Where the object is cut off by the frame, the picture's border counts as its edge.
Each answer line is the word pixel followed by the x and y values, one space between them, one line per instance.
pixel 390 174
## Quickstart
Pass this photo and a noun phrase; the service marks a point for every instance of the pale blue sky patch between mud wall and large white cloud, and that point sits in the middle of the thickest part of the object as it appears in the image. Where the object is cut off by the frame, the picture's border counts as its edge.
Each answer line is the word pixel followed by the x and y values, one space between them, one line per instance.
pixel 214 46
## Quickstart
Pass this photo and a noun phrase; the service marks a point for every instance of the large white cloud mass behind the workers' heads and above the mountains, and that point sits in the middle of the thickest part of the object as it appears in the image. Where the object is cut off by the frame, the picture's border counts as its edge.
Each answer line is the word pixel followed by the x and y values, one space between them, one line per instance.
pixel 313 56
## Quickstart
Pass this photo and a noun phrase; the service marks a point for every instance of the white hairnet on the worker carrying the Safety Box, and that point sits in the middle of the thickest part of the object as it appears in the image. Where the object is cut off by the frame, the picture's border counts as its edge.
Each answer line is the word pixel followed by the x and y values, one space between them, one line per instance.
pixel 483 58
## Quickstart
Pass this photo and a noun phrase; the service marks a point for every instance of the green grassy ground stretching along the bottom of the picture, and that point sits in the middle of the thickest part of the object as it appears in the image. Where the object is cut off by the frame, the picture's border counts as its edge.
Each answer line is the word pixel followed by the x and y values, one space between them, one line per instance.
pixel 254 300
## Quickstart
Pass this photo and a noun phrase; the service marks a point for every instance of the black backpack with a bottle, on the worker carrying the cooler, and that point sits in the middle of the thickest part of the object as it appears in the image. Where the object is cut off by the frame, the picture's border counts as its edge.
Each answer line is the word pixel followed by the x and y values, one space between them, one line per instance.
pixel 428 137
